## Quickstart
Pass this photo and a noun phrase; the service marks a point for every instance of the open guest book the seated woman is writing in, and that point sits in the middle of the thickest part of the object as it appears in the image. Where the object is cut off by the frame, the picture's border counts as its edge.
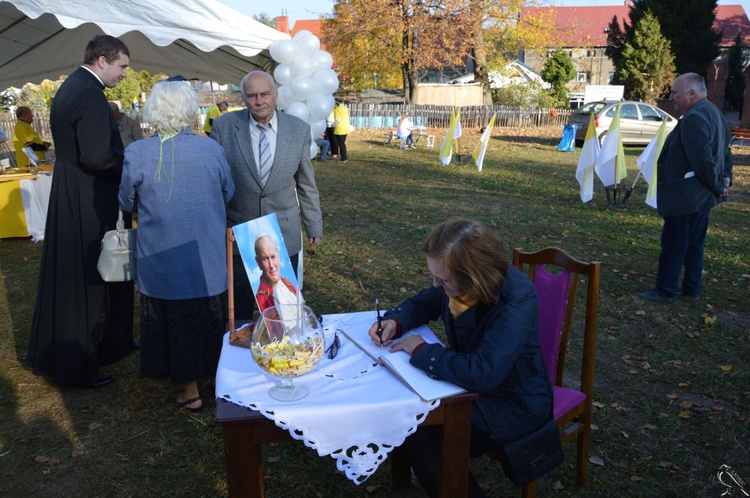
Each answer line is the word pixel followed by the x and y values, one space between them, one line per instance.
pixel 427 388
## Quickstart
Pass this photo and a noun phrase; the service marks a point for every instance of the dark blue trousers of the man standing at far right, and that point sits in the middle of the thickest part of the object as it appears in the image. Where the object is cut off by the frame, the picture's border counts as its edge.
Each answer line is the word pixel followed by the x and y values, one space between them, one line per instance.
pixel 682 241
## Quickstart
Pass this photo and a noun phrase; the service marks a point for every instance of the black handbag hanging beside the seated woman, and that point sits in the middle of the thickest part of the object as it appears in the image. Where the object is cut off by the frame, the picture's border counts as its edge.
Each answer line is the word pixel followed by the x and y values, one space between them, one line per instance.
pixel 532 455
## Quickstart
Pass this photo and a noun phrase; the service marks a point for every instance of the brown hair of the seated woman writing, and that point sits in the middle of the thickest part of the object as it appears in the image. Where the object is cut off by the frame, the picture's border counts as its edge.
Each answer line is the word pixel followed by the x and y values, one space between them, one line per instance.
pixel 475 259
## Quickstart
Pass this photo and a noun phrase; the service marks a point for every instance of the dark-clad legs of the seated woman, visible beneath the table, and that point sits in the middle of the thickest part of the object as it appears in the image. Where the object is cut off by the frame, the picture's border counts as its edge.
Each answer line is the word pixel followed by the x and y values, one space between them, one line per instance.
pixel 423 449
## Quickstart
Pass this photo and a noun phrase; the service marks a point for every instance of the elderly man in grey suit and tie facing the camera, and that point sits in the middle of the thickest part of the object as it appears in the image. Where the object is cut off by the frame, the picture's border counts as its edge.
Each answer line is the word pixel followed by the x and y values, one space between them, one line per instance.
pixel 269 156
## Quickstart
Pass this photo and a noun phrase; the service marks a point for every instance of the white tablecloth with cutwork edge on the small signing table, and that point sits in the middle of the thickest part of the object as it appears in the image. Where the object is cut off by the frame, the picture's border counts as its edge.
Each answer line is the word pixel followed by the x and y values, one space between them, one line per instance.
pixel 354 403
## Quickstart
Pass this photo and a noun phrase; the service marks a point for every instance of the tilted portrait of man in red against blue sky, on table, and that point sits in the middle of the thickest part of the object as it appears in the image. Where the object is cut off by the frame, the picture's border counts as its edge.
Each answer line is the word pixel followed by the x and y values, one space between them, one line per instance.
pixel 267 263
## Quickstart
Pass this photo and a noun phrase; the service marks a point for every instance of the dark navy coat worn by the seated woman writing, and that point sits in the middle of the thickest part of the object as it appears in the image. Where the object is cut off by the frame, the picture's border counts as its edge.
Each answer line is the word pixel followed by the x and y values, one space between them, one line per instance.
pixel 493 350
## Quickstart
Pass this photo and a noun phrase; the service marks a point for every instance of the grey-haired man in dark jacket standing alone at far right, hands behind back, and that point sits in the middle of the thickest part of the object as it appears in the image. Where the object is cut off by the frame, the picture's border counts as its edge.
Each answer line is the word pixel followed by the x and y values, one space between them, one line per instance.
pixel 694 173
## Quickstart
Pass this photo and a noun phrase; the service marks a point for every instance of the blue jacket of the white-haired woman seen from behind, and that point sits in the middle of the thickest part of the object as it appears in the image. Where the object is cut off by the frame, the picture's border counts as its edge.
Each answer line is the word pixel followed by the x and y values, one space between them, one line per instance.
pixel 181 245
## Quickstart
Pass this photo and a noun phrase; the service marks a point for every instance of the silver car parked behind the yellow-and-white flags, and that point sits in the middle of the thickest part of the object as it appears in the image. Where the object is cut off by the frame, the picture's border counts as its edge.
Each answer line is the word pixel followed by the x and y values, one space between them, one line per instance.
pixel 639 121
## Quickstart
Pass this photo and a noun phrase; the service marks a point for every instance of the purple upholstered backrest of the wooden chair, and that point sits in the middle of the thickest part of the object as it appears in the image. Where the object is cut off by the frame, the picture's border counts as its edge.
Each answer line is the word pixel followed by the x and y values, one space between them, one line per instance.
pixel 552 294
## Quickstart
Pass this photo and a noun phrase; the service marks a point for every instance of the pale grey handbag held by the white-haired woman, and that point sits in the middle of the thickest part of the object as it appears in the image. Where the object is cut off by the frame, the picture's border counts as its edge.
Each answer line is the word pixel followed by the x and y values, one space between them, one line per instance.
pixel 117 261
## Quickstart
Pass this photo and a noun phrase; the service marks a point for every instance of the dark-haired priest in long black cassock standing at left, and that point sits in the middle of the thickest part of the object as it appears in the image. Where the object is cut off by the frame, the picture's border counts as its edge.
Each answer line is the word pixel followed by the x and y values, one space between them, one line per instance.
pixel 80 322
